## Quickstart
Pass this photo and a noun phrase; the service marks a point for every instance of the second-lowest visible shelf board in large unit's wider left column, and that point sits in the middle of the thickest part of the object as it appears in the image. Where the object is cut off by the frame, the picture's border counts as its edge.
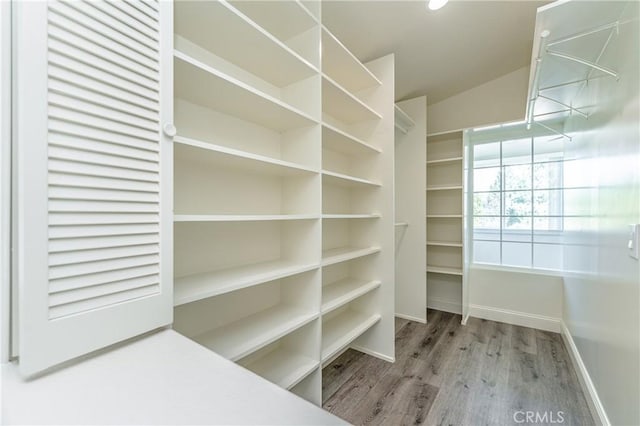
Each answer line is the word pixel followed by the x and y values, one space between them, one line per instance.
pixel 240 338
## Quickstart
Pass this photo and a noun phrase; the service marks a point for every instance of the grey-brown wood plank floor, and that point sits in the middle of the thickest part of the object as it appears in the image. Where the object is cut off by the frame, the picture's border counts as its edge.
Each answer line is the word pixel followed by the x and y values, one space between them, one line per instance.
pixel 449 374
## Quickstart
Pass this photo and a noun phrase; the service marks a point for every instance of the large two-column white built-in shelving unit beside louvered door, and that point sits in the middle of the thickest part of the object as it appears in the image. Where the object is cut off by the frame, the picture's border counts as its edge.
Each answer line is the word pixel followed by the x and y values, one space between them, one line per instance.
pixel 283 235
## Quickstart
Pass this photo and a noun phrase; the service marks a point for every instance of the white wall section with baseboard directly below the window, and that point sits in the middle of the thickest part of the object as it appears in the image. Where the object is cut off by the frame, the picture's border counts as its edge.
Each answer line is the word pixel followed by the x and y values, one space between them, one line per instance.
pixel 527 299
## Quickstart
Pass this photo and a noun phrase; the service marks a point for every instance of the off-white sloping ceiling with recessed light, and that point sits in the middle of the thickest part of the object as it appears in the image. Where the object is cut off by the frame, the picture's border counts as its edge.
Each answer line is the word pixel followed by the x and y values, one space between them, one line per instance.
pixel 438 53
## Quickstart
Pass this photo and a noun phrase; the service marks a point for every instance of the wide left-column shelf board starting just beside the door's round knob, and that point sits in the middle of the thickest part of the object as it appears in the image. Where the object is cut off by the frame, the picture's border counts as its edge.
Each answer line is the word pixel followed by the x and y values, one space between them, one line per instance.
pixel 221 156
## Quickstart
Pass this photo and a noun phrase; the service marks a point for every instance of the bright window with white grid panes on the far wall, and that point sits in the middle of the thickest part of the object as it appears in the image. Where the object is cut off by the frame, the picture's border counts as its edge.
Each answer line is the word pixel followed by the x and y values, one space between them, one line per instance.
pixel 518 201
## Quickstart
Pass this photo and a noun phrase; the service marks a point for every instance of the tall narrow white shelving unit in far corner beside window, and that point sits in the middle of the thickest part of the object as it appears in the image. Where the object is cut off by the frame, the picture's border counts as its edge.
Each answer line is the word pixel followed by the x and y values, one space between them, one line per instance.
pixel 445 220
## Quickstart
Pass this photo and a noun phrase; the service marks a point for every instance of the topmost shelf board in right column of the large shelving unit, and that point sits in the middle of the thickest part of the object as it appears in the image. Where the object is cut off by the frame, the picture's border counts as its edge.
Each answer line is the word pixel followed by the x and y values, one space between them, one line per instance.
pixel 342 66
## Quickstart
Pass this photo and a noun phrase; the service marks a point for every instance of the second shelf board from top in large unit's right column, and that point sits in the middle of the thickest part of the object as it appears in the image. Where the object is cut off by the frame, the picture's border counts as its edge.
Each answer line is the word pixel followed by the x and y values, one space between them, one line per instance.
pixel 344 106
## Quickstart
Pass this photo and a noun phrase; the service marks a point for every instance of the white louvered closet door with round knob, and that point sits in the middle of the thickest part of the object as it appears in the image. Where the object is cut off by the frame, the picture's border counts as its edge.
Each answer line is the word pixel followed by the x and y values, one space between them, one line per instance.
pixel 94 196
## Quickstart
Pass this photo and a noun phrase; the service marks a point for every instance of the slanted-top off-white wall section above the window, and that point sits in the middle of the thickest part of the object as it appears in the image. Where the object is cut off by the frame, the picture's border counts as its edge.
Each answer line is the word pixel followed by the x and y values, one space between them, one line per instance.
pixel 496 101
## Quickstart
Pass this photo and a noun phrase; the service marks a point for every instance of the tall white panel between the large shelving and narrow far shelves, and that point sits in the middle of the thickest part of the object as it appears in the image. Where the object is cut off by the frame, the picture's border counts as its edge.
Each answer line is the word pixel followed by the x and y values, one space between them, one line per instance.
pixel 410 201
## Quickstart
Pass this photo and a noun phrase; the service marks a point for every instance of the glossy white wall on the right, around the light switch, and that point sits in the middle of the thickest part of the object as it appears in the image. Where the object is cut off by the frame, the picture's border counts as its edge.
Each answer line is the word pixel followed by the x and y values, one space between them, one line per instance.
pixel 602 283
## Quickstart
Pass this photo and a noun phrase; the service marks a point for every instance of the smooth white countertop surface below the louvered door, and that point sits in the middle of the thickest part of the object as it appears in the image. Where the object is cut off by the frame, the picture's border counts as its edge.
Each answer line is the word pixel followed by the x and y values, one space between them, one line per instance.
pixel 163 378
